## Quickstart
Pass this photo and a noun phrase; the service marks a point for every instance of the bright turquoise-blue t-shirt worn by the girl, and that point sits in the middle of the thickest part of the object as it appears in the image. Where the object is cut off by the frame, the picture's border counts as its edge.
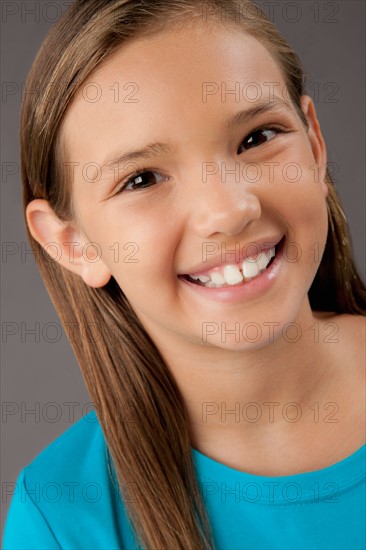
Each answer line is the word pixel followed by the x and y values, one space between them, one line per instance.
pixel 65 498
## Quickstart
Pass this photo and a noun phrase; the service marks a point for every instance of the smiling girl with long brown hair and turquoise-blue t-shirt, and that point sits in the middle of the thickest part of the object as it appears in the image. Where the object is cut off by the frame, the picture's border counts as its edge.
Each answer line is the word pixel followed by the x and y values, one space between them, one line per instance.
pixel 203 251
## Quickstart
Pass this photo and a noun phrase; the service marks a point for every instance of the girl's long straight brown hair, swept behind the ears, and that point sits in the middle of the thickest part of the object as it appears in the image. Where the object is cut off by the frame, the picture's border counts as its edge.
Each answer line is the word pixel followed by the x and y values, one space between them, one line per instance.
pixel 138 403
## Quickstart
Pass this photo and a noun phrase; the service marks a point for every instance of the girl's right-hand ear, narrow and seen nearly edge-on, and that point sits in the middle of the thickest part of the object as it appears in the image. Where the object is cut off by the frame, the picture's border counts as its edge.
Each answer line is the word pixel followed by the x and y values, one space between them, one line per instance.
pixel 316 140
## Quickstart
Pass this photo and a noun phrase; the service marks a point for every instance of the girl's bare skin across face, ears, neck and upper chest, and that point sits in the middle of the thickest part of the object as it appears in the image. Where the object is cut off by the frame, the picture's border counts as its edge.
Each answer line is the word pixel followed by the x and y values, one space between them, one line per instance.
pixel 170 220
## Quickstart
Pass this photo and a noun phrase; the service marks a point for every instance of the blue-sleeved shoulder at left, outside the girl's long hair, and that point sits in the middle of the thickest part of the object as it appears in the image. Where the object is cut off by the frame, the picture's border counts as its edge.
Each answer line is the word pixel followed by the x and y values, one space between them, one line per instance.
pixel 65 497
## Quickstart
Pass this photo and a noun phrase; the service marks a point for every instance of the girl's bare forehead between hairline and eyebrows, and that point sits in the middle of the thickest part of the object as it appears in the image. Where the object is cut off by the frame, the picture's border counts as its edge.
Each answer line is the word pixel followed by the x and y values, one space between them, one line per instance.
pixel 181 75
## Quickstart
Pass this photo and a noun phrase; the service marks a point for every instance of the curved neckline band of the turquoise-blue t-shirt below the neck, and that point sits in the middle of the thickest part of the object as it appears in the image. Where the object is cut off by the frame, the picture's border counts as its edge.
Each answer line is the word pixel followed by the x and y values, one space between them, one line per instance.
pixel 323 484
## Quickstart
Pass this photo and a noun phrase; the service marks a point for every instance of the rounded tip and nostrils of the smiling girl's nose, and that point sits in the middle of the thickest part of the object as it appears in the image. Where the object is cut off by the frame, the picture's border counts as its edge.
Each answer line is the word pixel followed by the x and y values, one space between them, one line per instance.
pixel 219 206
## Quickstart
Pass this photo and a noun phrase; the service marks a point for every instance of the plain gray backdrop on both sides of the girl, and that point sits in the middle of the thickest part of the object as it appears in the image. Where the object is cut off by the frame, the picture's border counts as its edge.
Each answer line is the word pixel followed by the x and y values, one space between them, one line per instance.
pixel 39 371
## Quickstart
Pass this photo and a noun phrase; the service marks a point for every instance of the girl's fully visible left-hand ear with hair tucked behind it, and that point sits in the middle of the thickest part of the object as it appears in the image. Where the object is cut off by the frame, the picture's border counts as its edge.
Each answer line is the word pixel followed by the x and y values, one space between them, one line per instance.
pixel 66 244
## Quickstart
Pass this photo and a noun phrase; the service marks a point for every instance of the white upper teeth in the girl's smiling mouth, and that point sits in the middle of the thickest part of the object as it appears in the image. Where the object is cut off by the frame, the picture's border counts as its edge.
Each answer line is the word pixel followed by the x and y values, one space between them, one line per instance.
pixel 232 274
